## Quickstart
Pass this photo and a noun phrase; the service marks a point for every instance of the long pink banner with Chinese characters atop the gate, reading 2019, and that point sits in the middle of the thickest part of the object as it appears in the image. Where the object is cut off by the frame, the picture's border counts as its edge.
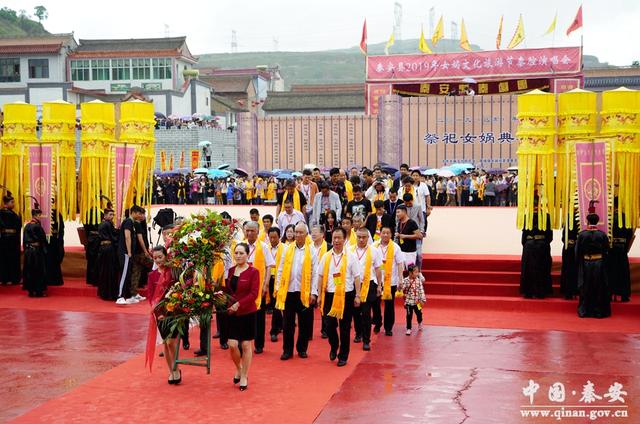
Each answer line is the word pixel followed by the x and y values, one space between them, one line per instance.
pixel 547 62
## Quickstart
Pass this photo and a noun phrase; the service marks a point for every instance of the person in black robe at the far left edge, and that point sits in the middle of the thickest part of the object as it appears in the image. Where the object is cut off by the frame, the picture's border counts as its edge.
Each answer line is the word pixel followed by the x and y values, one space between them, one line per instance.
pixel 10 227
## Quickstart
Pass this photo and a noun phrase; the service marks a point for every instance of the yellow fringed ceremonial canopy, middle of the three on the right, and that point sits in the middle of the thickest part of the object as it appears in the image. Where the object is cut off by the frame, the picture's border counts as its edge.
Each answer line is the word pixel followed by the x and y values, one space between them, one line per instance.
pixel 577 114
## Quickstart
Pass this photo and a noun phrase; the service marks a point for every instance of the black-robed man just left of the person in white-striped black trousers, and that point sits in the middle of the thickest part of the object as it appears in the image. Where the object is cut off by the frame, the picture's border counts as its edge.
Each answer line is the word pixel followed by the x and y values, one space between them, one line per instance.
pixel 107 262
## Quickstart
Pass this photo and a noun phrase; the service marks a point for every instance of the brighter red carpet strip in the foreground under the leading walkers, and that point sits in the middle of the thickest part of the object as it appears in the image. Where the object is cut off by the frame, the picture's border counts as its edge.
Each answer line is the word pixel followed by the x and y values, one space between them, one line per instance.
pixel 286 392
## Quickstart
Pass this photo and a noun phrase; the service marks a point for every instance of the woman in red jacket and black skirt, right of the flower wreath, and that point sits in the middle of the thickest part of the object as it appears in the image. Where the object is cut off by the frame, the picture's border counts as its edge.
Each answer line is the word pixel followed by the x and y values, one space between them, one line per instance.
pixel 242 283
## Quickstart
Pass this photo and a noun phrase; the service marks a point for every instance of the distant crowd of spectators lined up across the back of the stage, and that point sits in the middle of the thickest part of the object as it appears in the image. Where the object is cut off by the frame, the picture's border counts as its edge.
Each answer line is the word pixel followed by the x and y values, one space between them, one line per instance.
pixel 474 188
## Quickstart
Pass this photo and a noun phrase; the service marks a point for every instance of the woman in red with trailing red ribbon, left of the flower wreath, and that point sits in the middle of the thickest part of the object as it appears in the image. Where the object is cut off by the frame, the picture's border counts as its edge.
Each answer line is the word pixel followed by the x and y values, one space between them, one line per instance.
pixel 159 280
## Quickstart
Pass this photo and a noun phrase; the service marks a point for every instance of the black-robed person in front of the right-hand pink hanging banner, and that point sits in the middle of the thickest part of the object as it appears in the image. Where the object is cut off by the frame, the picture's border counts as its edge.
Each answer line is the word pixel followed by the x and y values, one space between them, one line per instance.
pixel 592 248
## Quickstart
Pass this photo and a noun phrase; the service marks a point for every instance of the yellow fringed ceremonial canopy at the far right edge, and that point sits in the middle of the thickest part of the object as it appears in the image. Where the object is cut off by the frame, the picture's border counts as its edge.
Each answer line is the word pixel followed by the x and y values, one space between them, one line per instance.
pixel 620 120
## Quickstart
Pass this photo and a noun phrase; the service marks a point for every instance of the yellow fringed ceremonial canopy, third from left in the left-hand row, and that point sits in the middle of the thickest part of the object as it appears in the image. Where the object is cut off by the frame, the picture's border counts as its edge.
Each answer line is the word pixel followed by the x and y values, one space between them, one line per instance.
pixel 98 125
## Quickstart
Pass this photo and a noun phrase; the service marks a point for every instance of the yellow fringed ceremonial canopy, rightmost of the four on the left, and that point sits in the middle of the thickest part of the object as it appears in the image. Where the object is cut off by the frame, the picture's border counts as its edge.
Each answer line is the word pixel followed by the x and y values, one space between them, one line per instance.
pixel 137 128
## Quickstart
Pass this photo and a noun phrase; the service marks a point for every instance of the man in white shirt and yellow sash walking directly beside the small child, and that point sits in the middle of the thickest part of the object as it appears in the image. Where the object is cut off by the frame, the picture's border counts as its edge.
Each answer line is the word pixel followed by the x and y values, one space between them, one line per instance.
pixel 392 269
